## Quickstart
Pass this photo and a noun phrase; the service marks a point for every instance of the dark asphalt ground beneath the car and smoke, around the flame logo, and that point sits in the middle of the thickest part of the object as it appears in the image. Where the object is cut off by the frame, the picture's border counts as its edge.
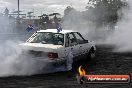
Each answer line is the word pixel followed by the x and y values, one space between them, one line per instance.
pixel 106 62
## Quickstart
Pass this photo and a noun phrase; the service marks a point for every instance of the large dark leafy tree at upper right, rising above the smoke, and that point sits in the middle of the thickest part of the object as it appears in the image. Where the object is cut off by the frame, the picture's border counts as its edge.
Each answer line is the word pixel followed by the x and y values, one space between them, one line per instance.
pixel 105 11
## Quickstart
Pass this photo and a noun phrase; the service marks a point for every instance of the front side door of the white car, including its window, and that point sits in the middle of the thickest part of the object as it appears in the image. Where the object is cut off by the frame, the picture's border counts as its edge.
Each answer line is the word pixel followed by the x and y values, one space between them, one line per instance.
pixel 83 44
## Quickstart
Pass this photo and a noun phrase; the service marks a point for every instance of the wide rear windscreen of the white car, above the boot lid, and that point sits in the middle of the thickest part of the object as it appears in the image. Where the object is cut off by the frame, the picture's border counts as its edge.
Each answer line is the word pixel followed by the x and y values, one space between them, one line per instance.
pixel 47 38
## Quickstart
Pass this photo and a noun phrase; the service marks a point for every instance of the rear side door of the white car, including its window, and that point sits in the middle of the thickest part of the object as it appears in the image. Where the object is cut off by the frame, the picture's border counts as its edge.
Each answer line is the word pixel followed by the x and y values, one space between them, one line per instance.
pixel 72 45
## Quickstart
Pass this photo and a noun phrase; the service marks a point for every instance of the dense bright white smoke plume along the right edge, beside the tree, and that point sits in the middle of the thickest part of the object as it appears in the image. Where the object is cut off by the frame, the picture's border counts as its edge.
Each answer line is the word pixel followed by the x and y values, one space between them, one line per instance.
pixel 122 36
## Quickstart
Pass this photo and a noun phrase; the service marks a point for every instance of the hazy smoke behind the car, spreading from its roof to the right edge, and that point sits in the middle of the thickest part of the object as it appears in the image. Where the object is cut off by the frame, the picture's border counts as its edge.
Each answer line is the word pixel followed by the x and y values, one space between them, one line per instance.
pixel 118 34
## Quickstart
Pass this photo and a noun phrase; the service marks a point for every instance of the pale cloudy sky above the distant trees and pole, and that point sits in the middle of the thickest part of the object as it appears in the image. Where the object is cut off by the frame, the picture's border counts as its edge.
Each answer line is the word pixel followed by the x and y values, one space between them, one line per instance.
pixel 44 6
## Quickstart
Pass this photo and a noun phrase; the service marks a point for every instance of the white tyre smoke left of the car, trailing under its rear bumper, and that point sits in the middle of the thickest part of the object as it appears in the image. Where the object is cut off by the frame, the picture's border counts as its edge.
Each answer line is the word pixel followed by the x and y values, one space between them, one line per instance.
pixel 13 59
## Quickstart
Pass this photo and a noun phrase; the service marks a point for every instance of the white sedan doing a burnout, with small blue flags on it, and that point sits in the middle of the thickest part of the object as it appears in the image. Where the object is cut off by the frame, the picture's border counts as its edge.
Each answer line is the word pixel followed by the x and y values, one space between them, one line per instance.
pixel 61 48
